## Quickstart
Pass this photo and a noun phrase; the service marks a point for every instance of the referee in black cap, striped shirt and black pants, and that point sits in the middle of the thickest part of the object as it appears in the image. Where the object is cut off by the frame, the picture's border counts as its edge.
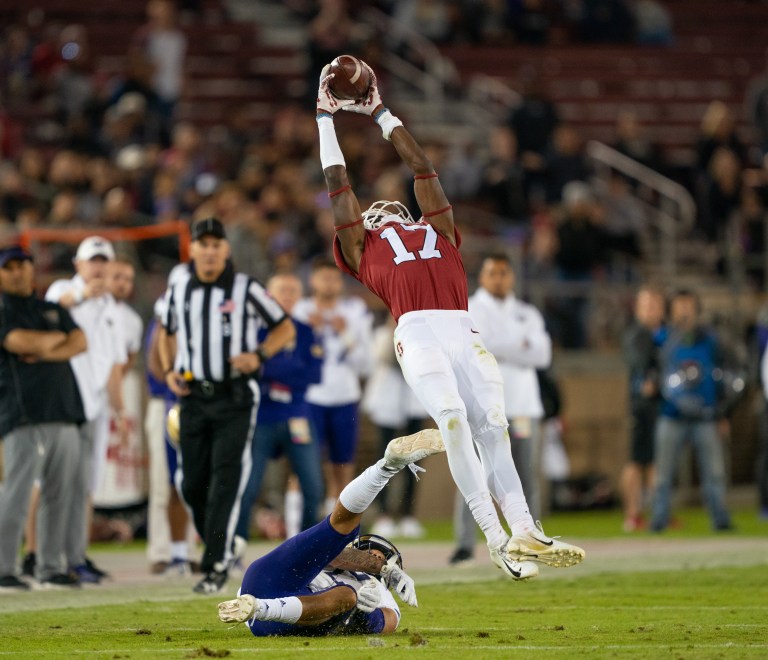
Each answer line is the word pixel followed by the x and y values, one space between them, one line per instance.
pixel 210 354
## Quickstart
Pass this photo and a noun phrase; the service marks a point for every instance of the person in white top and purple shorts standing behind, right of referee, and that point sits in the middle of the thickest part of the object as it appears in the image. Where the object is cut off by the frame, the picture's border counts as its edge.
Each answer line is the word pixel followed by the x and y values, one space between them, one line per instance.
pixel 344 325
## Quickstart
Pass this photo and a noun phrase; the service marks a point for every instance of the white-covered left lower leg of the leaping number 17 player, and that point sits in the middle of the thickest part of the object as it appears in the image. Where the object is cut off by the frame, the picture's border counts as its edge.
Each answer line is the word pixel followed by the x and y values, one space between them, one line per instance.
pixel 468 474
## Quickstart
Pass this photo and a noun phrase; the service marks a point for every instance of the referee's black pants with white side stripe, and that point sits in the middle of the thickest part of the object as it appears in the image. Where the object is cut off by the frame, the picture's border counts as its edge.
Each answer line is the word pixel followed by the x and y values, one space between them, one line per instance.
pixel 215 435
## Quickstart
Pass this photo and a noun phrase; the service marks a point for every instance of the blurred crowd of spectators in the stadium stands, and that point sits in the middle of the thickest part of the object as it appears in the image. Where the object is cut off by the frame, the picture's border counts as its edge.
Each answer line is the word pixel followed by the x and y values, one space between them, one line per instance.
pixel 106 151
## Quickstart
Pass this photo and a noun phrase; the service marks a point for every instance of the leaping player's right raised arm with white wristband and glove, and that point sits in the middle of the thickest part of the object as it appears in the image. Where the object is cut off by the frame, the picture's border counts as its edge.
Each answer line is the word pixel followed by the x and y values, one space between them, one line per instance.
pixel 429 193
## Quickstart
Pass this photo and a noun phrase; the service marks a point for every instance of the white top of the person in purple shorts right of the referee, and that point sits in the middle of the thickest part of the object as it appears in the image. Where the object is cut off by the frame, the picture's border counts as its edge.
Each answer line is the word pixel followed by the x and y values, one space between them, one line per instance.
pixel 348 355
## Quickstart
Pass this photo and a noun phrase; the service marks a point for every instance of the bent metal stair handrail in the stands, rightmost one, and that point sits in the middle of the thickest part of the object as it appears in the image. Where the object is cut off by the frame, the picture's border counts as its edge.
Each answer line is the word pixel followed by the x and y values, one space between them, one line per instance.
pixel 671 206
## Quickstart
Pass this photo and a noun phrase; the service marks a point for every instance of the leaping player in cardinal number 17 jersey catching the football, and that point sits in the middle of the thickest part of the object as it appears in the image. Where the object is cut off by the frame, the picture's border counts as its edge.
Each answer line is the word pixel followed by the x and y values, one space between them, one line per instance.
pixel 416 269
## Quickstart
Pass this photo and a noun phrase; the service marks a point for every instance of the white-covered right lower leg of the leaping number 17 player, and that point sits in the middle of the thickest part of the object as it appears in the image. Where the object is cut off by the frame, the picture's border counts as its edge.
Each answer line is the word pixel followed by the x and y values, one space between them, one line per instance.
pixel 501 476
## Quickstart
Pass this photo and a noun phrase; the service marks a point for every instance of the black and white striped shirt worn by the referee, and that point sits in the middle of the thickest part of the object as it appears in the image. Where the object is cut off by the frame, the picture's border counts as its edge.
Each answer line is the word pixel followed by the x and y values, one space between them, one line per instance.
pixel 216 321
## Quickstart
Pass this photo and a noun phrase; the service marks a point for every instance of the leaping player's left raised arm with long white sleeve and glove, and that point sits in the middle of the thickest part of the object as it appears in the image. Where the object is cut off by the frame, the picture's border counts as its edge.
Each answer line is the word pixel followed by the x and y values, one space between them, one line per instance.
pixel 346 209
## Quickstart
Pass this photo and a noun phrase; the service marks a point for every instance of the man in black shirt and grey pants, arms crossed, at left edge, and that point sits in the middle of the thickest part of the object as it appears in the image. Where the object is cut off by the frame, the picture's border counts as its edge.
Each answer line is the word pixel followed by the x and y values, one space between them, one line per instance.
pixel 40 409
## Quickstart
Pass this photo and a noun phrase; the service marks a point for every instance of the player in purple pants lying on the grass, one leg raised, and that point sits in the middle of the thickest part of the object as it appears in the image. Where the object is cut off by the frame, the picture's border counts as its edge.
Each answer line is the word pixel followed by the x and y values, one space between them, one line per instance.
pixel 327 580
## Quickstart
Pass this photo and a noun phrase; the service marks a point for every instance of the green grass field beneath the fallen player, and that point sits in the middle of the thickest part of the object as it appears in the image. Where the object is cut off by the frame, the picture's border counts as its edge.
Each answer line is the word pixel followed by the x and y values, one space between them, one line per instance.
pixel 714 604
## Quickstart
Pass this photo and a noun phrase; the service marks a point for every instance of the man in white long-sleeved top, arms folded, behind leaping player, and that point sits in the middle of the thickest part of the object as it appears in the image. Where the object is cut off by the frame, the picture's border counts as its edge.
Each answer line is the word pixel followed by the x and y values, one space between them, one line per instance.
pixel 514 332
